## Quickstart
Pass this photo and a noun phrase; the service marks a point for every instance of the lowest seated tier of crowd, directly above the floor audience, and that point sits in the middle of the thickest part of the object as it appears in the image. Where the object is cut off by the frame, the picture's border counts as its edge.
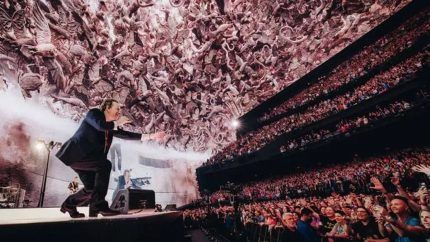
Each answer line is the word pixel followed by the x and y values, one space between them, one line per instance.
pixel 342 178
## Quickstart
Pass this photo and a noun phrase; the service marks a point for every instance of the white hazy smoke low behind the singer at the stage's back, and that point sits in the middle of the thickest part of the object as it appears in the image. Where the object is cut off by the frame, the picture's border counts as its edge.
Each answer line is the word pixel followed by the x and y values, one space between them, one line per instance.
pixel 26 121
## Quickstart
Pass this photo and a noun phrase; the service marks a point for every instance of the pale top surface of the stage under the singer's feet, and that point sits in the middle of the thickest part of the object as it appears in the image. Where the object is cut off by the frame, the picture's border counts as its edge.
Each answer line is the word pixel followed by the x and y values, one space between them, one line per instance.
pixel 45 215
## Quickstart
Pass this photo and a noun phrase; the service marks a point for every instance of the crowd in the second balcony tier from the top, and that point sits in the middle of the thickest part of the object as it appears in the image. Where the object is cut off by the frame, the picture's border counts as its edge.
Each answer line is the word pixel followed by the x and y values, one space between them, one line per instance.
pixel 376 85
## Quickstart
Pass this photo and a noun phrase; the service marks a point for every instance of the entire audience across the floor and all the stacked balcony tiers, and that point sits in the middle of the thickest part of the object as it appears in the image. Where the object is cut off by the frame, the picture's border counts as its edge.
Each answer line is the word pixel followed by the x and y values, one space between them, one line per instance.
pixel 379 198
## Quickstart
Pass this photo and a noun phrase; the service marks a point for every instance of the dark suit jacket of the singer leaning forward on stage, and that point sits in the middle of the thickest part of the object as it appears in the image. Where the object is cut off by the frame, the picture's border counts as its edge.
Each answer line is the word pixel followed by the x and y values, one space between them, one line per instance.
pixel 92 140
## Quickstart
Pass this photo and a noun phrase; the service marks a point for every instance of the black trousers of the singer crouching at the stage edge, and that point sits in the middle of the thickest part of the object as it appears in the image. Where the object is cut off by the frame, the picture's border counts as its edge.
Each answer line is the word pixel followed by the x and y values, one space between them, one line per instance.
pixel 95 177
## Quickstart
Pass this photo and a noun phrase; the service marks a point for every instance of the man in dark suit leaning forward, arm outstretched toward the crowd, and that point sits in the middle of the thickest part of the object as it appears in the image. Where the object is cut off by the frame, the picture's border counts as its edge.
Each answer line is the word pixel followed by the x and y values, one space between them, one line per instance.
pixel 86 153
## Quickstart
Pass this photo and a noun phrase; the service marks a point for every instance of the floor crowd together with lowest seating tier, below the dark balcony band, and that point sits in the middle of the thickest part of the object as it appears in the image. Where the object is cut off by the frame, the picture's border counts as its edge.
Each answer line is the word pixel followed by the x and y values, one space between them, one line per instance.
pixel 384 198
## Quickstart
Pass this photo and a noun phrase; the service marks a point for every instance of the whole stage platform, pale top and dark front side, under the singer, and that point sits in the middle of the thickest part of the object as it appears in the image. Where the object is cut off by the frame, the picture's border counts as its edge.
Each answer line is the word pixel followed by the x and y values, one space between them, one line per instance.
pixel 49 224
